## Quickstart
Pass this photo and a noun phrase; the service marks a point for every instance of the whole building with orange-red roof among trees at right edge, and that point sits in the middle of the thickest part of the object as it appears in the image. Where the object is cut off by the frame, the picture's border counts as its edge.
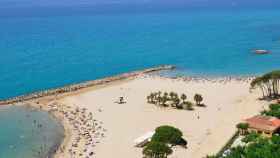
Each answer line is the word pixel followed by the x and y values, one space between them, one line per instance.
pixel 265 125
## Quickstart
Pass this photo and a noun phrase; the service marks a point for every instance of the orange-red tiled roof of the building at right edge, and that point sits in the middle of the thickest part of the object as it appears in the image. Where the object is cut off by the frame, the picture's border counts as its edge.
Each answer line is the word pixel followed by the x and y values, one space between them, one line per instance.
pixel 264 123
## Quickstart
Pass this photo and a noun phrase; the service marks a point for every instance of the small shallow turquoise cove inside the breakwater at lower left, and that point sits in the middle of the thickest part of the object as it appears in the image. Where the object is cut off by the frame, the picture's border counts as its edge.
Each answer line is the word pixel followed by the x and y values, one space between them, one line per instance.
pixel 22 137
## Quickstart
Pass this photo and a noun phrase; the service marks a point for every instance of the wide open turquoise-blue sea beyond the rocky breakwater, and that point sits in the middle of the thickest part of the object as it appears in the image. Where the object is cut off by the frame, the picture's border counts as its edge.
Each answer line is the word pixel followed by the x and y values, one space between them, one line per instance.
pixel 40 52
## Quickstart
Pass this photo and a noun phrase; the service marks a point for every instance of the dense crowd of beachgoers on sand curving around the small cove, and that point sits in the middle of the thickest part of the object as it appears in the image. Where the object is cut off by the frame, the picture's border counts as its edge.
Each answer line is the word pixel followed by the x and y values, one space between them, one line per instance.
pixel 86 132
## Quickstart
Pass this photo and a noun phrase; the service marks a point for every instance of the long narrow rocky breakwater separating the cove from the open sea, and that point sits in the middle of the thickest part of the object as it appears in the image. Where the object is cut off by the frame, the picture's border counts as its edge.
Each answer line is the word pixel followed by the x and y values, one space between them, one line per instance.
pixel 79 86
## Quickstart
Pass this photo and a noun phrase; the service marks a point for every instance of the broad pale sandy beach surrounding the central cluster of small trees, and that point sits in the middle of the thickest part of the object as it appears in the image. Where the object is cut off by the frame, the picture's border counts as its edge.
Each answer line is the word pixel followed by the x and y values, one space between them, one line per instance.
pixel 206 129
